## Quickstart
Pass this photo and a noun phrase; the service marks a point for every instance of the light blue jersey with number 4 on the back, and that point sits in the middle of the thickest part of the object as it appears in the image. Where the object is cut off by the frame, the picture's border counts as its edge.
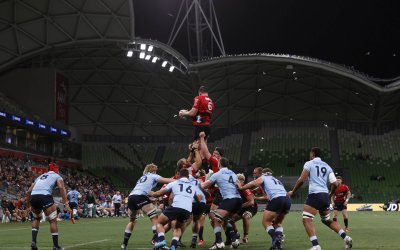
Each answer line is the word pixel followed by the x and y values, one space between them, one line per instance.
pixel 226 180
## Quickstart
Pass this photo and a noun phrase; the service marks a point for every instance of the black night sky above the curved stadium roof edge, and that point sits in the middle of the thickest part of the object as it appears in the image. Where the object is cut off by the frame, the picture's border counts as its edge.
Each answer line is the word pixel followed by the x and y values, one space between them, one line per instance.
pixel 364 34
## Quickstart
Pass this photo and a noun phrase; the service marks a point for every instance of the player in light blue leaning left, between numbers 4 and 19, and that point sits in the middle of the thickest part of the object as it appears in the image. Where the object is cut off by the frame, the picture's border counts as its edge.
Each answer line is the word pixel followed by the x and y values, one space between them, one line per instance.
pixel 277 208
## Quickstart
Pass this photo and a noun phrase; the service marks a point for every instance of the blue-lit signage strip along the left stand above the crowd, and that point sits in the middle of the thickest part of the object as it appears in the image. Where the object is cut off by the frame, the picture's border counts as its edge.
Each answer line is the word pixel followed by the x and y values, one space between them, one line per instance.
pixel 34 124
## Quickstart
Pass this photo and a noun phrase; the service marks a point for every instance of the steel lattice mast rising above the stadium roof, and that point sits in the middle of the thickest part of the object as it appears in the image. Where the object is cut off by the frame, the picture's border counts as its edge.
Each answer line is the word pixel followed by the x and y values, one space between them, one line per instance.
pixel 203 33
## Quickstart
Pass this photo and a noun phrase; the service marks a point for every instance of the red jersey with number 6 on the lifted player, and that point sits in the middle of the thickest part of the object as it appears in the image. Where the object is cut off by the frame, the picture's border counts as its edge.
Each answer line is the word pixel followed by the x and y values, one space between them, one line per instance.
pixel 205 108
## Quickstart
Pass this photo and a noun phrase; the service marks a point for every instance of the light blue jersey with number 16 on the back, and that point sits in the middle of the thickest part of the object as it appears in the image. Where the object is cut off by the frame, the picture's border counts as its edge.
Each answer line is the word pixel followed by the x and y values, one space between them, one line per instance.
pixel 183 191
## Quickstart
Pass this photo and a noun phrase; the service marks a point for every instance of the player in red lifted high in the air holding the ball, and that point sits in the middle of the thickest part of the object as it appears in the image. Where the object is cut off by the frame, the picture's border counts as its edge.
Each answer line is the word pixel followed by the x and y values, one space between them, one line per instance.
pixel 201 113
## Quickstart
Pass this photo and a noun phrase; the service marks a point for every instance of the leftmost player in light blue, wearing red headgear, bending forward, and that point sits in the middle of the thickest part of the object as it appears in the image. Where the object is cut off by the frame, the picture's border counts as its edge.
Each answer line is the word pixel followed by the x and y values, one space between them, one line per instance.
pixel 39 198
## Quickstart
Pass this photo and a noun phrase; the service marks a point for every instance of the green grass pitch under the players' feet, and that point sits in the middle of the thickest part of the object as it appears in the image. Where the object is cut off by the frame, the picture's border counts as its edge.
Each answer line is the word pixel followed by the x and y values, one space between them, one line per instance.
pixel 369 230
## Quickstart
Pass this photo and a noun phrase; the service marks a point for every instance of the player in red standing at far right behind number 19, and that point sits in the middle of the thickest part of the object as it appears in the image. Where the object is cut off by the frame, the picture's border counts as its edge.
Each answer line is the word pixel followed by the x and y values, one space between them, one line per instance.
pixel 340 200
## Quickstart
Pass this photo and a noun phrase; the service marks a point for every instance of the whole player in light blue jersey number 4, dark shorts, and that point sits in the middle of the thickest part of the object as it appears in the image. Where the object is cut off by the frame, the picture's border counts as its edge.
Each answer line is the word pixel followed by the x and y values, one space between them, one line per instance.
pixel 231 203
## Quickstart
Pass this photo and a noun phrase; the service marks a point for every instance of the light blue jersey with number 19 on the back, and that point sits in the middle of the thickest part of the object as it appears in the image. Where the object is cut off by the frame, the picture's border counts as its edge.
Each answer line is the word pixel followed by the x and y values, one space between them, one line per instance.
pixel 319 175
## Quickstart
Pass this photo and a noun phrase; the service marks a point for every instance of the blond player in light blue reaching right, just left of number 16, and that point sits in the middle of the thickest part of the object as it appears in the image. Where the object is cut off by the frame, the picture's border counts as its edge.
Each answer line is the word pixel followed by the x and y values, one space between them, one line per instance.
pixel 138 199
